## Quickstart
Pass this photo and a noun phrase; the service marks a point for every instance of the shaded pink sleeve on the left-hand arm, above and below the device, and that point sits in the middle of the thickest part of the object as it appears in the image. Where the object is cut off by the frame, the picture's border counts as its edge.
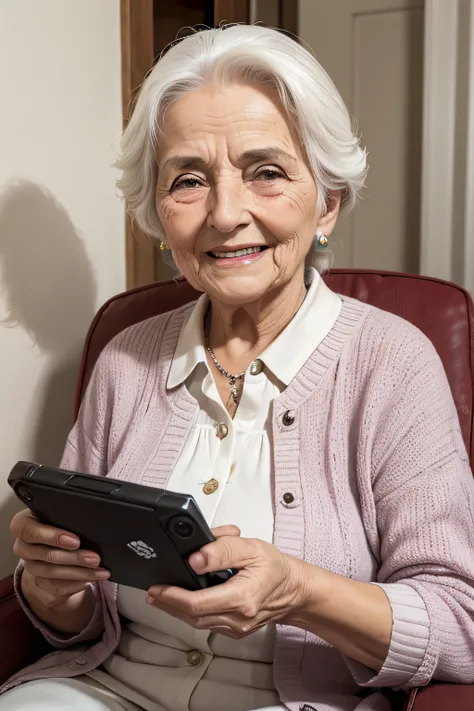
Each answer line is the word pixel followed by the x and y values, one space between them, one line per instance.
pixel 85 452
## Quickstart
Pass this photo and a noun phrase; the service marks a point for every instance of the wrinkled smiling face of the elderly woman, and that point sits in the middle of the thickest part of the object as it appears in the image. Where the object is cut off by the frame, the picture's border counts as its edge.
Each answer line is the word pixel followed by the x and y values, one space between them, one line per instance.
pixel 234 194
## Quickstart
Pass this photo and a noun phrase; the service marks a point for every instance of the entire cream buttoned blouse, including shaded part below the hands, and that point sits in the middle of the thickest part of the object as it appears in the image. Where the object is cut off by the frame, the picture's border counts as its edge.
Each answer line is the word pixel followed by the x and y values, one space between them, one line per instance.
pixel 226 464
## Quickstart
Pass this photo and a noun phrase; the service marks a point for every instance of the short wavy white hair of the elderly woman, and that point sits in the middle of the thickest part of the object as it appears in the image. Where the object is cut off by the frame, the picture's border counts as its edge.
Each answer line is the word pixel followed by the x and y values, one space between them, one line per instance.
pixel 250 53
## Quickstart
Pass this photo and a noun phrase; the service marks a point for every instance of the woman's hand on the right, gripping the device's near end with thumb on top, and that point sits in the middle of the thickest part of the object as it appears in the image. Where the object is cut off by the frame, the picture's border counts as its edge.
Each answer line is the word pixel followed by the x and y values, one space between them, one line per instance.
pixel 268 586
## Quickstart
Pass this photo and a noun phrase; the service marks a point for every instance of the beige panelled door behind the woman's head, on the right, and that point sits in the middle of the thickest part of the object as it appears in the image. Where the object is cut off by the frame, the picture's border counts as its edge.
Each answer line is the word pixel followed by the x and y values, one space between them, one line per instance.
pixel 373 50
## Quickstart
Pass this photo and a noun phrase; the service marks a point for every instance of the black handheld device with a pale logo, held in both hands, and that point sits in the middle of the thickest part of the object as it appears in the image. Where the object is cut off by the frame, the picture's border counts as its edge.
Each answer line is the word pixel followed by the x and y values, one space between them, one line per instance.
pixel 143 535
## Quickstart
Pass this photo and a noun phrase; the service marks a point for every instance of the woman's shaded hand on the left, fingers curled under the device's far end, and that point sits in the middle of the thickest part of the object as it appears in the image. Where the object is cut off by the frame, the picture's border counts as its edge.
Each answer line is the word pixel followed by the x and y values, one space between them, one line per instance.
pixel 56 571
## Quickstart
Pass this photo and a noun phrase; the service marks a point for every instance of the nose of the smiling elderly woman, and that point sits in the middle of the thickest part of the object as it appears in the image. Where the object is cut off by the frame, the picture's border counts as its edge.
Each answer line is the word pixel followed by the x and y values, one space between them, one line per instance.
pixel 227 208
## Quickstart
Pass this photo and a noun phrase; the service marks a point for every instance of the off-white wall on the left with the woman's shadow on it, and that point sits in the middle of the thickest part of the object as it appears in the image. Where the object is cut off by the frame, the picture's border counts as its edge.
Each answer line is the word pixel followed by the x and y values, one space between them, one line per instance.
pixel 61 224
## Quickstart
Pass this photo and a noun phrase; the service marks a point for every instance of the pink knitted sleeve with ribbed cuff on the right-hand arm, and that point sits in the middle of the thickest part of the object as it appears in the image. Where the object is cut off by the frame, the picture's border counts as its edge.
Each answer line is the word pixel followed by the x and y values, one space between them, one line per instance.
pixel 423 492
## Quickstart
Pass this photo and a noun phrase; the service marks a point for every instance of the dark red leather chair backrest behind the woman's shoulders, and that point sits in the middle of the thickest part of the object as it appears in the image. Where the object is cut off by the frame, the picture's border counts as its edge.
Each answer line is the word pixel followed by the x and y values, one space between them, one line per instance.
pixel 443 311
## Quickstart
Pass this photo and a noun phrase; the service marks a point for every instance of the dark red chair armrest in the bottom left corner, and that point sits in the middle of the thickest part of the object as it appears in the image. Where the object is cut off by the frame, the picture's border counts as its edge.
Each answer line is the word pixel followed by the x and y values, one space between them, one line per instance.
pixel 20 642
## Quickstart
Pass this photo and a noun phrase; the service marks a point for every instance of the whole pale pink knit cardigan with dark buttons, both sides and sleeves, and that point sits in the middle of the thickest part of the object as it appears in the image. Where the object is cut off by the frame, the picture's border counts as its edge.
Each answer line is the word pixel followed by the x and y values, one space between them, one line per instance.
pixel 371 451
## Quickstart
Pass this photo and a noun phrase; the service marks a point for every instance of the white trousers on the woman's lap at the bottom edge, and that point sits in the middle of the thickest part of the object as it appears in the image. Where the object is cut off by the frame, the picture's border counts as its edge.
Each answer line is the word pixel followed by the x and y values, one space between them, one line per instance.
pixel 70 695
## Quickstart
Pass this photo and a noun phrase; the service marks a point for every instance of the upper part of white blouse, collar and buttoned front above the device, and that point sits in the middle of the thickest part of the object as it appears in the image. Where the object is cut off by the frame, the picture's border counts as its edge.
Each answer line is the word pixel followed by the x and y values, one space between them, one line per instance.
pixel 228 487
